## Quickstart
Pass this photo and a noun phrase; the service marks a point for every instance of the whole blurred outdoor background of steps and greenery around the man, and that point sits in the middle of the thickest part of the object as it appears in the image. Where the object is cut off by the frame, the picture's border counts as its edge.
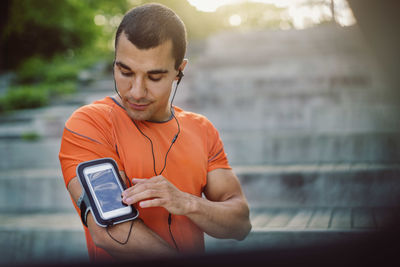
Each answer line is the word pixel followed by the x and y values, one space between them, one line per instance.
pixel 305 94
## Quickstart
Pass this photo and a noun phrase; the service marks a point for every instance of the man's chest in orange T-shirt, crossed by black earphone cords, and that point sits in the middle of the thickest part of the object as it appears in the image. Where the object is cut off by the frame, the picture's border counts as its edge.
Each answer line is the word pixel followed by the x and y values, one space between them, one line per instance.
pixel 151 153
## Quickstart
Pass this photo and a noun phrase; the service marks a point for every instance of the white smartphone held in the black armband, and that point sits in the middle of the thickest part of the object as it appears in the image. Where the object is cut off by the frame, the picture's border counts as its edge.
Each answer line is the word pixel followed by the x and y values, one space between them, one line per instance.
pixel 106 189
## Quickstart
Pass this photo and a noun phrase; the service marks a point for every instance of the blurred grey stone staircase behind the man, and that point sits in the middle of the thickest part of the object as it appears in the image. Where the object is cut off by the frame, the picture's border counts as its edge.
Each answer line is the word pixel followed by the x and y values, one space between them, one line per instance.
pixel 307 122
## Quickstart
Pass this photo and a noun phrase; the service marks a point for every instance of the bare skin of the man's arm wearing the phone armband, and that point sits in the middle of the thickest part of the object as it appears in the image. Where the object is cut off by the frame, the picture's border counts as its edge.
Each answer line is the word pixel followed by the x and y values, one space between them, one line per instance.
pixel 142 240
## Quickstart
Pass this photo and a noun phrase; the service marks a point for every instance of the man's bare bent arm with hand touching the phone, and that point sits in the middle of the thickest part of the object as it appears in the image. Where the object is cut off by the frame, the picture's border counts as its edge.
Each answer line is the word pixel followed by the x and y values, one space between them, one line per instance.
pixel 224 213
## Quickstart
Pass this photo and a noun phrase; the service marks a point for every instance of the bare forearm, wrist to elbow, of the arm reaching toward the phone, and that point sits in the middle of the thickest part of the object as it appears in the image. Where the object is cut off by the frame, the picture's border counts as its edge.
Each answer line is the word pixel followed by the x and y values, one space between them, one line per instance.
pixel 224 219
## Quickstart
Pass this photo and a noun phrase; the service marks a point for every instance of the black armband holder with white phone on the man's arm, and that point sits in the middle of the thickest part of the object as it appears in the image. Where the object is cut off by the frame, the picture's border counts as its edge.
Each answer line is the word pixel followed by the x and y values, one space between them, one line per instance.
pixel 101 193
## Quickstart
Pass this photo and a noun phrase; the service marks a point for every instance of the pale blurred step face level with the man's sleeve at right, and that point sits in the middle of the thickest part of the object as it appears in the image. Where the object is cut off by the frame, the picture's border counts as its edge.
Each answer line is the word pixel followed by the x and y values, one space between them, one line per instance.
pixel 269 148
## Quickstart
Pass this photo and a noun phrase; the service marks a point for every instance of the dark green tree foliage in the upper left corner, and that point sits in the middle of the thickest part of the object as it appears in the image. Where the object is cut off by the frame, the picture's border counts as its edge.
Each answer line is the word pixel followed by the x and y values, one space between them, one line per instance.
pixel 46 27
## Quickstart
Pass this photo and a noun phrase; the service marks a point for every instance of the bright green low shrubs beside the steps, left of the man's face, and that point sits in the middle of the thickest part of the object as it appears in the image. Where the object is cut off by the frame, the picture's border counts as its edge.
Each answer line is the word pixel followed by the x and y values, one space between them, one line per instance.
pixel 39 80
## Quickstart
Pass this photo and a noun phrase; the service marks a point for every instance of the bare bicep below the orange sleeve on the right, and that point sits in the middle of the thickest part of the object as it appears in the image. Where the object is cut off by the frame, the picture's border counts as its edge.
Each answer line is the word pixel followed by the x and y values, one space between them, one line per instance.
pixel 222 184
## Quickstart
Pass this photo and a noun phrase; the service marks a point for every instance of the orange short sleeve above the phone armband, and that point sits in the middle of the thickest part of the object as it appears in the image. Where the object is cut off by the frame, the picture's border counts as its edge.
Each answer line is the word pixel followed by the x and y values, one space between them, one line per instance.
pixel 87 136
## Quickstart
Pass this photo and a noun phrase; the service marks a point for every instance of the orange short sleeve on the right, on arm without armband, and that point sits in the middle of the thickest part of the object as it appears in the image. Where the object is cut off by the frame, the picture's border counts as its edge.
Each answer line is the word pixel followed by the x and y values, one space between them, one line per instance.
pixel 217 158
